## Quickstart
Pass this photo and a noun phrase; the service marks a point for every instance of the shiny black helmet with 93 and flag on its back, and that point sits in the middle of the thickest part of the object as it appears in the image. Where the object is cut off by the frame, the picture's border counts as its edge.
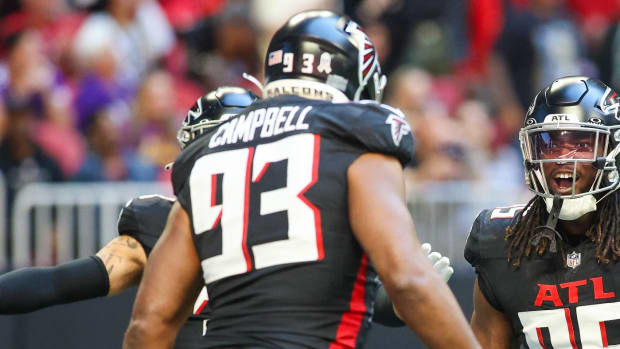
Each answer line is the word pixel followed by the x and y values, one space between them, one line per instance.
pixel 325 47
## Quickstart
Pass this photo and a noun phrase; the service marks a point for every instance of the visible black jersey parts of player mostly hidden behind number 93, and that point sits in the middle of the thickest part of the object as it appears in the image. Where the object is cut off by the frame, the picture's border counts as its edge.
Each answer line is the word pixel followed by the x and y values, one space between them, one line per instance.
pixel 144 218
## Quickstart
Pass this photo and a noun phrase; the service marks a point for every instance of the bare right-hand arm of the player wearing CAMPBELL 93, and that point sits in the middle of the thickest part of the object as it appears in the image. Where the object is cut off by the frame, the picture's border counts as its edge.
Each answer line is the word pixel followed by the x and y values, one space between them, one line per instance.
pixel 383 226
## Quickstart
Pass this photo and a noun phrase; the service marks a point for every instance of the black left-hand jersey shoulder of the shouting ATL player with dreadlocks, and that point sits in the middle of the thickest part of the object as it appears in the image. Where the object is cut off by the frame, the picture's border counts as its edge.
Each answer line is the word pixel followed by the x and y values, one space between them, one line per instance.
pixel 486 238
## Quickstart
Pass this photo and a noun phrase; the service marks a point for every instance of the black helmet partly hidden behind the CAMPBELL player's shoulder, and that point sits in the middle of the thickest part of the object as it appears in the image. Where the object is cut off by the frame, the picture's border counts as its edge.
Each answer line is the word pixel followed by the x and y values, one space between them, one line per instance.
pixel 211 109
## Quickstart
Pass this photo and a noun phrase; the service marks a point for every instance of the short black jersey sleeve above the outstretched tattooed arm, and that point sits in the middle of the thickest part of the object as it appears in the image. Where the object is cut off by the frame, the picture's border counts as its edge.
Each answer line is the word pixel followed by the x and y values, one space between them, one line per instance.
pixel 144 218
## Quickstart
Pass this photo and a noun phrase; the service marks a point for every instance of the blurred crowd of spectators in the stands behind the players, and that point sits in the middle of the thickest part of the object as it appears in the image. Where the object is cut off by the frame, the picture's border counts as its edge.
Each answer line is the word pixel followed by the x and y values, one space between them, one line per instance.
pixel 94 90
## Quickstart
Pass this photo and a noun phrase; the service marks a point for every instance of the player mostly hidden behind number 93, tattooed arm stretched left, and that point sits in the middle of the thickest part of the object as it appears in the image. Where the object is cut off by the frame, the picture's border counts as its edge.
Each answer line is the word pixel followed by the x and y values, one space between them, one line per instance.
pixel 119 264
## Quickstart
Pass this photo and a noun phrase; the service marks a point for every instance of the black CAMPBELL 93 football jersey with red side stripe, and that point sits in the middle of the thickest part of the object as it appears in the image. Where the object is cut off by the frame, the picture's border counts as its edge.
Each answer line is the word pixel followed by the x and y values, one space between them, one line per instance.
pixel 267 195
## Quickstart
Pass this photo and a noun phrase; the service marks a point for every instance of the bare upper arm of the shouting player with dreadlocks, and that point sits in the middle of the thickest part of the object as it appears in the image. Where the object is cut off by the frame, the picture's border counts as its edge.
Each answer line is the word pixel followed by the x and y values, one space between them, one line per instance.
pixel 490 326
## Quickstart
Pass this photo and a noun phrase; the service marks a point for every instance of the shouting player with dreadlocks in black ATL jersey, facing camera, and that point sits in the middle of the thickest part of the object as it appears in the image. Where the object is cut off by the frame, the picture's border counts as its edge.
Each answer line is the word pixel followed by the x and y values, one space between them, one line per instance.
pixel 547 273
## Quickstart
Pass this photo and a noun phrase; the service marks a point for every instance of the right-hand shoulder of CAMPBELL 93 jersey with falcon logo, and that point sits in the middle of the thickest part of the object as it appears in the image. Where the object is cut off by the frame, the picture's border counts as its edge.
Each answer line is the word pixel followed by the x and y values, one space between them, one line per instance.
pixel 375 127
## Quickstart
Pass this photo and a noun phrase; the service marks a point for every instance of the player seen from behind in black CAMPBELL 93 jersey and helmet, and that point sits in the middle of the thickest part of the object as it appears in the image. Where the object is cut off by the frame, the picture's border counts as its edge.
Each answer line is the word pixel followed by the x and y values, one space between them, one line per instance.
pixel 285 205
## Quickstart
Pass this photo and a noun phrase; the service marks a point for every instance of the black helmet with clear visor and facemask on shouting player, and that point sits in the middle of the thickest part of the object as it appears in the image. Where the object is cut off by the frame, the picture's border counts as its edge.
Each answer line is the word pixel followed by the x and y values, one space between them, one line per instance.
pixel 573 120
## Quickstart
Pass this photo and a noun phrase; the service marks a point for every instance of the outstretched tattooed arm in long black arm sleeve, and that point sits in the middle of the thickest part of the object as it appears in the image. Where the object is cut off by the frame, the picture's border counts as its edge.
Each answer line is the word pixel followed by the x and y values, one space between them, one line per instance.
pixel 31 289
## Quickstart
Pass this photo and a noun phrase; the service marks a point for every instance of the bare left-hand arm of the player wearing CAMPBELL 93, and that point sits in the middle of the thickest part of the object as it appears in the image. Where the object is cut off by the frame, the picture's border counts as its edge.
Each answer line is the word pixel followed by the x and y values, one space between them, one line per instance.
pixel 168 289
